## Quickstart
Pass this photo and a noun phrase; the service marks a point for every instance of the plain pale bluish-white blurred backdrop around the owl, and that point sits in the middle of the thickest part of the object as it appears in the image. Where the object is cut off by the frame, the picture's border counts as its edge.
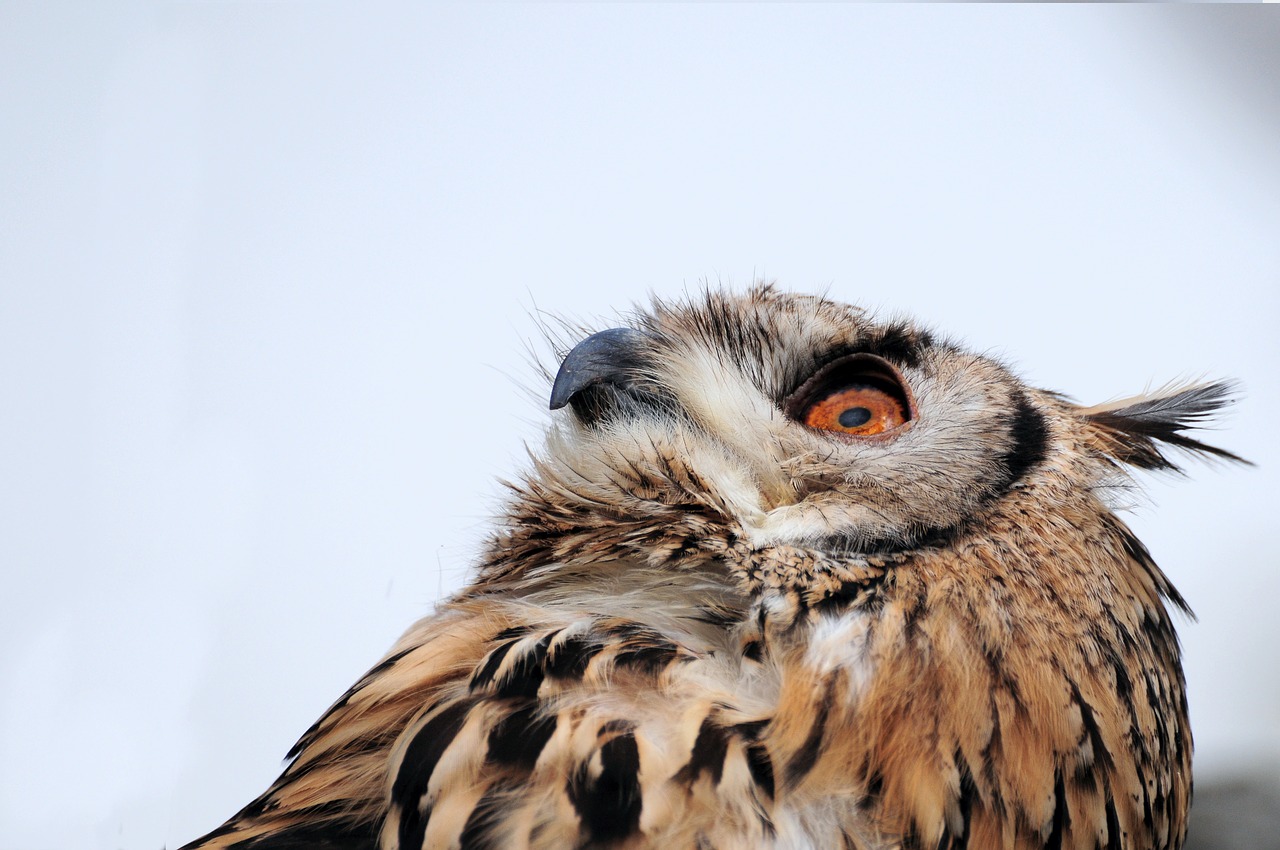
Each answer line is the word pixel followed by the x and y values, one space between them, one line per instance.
pixel 268 273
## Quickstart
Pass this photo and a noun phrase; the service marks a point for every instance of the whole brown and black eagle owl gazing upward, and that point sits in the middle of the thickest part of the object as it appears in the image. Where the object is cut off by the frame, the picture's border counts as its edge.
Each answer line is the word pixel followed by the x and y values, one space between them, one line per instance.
pixel 783 577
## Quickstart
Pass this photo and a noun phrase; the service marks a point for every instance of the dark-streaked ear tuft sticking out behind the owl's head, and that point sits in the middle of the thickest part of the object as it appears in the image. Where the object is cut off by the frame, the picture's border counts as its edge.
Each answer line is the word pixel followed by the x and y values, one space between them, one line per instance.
pixel 1131 431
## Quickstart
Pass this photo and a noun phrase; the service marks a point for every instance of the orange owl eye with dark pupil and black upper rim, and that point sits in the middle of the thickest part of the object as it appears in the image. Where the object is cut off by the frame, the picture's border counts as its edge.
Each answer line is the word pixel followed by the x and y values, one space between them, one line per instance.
pixel 861 396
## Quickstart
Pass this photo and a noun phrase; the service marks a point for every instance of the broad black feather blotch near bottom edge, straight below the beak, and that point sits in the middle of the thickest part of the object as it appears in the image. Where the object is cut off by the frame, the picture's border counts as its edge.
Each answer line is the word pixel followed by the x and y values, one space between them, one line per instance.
pixel 610 805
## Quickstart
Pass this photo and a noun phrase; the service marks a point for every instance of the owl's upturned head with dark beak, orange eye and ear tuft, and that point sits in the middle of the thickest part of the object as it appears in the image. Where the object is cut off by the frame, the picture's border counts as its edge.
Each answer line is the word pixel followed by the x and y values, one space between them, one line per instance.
pixel 797 421
